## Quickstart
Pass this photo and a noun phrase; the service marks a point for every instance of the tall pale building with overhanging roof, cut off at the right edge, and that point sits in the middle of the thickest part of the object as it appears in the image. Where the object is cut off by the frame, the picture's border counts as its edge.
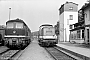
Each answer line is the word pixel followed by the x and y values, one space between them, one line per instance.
pixel 86 9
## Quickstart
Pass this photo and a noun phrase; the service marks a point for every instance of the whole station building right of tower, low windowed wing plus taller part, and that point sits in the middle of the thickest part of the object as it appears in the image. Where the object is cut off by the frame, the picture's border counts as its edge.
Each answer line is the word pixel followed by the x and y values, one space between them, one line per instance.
pixel 80 33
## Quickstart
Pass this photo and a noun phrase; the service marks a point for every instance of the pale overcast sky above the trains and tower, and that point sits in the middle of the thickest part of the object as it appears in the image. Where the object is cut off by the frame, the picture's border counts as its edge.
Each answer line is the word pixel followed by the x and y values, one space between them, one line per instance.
pixel 33 12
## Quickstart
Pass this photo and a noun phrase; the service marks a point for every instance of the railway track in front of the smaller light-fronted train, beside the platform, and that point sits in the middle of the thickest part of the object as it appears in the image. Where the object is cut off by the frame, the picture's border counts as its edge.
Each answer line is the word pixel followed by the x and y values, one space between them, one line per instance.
pixel 59 54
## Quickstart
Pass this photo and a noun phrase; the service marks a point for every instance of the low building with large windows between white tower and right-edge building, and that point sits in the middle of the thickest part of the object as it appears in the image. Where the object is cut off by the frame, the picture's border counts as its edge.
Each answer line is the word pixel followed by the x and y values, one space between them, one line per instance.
pixel 77 32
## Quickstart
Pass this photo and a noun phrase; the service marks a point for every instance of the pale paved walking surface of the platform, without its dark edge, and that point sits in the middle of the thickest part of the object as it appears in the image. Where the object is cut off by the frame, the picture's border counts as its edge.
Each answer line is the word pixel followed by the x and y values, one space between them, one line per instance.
pixel 76 49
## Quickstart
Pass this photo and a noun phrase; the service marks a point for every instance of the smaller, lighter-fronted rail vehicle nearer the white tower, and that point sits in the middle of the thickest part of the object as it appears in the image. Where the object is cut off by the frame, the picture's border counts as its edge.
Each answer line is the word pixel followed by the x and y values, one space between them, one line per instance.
pixel 47 35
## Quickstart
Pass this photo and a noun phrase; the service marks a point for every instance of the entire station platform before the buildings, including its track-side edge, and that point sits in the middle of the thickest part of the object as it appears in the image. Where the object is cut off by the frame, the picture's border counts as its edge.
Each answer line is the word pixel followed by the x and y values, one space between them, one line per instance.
pixel 80 50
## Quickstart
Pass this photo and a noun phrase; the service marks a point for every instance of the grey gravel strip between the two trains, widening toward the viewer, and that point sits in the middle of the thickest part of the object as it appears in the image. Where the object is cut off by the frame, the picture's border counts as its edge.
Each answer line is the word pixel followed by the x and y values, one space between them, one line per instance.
pixel 35 52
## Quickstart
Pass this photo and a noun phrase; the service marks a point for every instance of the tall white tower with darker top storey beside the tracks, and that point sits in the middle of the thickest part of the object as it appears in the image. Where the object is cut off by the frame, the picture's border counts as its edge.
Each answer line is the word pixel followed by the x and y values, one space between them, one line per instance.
pixel 68 15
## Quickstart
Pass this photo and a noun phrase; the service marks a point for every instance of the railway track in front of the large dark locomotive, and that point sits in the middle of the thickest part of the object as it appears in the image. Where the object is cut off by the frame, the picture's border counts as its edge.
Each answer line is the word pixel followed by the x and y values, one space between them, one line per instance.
pixel 8 55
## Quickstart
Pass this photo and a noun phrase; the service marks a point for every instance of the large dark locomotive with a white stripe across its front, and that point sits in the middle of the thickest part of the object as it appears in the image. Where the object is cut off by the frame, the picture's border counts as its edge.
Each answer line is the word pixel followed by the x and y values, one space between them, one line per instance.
pixel 17 34
